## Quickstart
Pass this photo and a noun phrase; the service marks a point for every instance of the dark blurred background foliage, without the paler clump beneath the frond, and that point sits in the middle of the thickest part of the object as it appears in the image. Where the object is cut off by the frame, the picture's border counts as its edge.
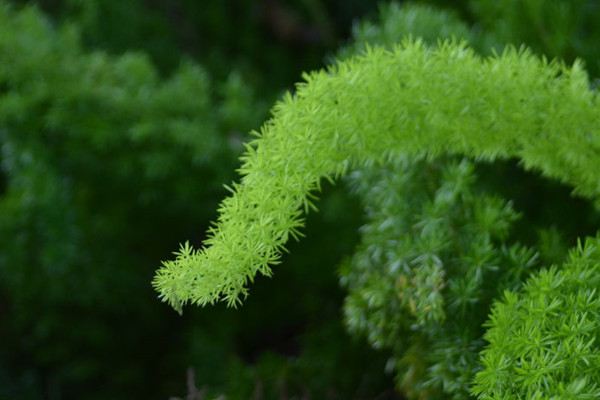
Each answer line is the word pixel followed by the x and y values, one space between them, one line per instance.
pixel 120 121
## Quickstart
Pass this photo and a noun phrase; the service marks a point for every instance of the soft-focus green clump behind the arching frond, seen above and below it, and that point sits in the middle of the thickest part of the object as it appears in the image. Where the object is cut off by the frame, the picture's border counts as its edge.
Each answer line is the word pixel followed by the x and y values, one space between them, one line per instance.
pixel 437 359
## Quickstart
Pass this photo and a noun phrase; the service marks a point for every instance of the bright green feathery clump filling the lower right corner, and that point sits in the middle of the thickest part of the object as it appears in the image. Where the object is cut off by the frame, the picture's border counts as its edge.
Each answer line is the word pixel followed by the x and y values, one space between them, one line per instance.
pixel 543 342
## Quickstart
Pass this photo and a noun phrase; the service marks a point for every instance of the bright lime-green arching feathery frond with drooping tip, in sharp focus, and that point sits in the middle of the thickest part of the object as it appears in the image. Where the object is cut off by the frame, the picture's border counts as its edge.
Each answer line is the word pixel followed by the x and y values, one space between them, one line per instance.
pixel 412 100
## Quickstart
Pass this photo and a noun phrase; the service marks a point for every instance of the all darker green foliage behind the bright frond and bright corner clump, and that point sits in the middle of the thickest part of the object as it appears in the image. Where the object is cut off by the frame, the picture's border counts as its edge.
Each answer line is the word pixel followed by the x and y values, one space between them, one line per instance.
pixel 121 120
